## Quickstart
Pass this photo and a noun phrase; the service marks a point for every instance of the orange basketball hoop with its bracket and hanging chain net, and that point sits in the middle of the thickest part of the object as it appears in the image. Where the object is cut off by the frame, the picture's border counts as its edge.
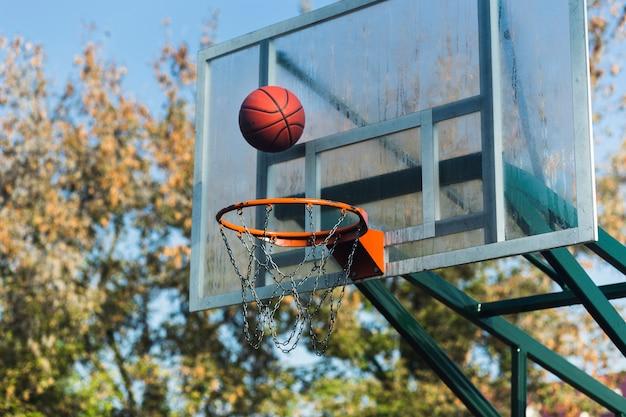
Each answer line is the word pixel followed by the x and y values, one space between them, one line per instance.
pixel 349 245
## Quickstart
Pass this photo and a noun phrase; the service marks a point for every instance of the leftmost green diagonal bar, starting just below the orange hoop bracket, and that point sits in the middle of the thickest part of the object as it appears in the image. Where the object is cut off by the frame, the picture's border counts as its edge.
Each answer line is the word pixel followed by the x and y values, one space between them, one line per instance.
pixel 404 322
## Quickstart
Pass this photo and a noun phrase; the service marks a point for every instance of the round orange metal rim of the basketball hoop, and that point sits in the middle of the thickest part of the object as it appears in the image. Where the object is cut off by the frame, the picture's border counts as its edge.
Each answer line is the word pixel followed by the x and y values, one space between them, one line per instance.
pixel 297 239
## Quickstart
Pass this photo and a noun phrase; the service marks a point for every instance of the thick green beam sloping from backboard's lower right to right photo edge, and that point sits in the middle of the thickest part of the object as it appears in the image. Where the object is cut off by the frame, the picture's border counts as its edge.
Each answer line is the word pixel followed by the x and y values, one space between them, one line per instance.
pixel 589 294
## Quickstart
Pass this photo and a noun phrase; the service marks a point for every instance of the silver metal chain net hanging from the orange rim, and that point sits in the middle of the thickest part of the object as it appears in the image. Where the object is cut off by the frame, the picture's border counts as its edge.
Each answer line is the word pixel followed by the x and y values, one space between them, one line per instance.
pixel 290 286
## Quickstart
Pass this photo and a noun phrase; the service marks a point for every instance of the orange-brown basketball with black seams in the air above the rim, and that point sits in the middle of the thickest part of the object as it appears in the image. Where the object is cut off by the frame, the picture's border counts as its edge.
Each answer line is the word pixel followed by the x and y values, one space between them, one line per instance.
pixel 271 119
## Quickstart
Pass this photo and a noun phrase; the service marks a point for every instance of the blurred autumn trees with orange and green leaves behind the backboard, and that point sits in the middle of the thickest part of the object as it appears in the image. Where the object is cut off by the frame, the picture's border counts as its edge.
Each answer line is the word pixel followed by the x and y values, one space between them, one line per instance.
pixel 95 202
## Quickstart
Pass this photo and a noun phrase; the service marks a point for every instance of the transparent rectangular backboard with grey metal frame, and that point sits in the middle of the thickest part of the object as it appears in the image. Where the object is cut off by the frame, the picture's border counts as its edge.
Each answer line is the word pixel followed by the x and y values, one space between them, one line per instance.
pixel 462 128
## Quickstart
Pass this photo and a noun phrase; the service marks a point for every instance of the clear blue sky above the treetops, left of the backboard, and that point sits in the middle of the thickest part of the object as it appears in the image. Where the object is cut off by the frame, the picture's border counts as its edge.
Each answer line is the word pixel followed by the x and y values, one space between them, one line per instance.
pixel 132 31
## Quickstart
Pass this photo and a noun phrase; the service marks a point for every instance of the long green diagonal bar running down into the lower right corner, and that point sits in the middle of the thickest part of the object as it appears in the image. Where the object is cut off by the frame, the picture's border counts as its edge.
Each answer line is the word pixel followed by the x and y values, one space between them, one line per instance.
pixel 465 305
